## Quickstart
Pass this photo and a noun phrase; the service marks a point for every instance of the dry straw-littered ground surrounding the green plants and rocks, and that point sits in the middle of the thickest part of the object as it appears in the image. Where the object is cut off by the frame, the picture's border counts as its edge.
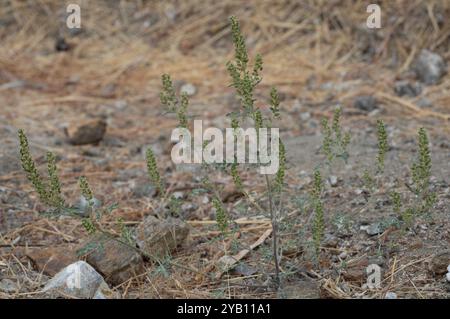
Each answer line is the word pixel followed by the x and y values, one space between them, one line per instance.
pixel 318 54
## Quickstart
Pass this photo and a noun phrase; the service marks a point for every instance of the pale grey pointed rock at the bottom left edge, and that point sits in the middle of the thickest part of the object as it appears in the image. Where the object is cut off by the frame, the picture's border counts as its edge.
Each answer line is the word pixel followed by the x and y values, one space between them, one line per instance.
pixel 78 280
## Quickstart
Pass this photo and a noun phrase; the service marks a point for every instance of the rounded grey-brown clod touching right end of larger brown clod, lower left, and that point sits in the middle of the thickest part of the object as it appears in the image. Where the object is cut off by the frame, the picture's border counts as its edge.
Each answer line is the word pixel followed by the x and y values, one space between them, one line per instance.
pixel 158 238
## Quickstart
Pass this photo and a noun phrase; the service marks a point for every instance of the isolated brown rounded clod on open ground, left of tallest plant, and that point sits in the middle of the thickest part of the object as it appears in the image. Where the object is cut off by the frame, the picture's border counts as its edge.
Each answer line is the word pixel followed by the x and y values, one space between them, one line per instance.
pixel 86 132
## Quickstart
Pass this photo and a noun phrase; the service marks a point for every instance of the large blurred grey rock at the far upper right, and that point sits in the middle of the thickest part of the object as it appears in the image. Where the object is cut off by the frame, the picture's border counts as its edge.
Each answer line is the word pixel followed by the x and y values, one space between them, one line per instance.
pixel 429 67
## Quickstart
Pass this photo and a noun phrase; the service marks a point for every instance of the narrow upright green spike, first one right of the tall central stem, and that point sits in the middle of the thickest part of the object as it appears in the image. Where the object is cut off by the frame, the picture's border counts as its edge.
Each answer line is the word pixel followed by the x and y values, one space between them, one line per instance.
pixel 318 225
